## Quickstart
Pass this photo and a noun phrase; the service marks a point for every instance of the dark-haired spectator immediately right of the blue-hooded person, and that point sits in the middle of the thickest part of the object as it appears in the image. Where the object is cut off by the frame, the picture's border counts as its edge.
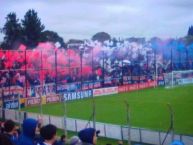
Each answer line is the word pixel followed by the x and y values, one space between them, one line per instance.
pixel 48 133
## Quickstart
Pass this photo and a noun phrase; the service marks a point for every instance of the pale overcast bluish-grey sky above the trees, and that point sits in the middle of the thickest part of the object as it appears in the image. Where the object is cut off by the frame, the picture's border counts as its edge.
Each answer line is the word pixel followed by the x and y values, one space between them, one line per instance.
pixel 81 19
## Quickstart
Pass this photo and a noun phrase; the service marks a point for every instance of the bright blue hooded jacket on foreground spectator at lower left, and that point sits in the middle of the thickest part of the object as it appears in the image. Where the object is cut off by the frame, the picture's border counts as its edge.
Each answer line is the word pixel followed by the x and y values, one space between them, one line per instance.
pixel 28 134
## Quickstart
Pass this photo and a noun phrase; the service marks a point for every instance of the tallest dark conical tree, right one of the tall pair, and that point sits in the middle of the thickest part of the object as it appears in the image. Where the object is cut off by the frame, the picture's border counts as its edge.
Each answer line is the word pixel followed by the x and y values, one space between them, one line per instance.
pixel 32 28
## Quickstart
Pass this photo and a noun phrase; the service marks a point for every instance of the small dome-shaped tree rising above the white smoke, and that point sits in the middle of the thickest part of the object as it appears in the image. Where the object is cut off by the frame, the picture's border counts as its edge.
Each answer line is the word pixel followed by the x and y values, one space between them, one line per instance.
pixel 101 37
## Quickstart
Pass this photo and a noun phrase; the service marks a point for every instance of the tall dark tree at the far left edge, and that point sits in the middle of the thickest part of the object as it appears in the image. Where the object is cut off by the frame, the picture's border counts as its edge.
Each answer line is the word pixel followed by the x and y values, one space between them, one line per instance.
pixel 12 31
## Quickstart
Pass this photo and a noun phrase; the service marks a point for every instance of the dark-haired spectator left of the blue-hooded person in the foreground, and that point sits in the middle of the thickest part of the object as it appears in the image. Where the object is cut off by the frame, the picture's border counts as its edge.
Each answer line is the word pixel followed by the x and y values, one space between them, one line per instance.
pixel 10 130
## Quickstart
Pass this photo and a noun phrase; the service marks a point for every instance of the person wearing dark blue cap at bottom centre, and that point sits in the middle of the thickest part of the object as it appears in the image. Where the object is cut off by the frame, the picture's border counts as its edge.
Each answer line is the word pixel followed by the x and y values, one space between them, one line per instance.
pixel 88 136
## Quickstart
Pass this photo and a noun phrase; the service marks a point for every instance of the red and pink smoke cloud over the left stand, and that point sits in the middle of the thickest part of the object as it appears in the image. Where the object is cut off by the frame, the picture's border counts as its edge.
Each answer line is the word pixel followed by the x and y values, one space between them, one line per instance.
pixel 42 60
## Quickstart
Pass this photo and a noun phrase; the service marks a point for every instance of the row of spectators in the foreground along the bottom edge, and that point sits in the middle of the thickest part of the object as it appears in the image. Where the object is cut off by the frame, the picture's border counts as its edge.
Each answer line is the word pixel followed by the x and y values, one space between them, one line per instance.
pixel 34 133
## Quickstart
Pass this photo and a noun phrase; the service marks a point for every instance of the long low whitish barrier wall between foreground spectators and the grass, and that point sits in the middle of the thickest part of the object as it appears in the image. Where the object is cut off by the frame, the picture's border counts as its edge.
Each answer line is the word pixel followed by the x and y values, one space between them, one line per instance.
pixel 106 130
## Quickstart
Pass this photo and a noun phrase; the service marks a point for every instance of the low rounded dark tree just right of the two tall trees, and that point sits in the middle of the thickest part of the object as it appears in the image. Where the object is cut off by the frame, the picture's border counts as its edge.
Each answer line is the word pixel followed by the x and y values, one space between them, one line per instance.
pixel 52 37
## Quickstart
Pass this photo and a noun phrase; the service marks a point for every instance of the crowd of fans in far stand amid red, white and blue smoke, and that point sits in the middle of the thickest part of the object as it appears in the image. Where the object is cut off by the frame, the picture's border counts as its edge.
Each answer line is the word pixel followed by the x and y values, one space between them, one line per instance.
pixel 114 62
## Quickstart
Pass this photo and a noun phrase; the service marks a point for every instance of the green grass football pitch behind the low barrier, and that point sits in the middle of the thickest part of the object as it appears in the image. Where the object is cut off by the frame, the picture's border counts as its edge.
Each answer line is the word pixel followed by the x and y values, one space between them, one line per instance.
pixel 148 108
